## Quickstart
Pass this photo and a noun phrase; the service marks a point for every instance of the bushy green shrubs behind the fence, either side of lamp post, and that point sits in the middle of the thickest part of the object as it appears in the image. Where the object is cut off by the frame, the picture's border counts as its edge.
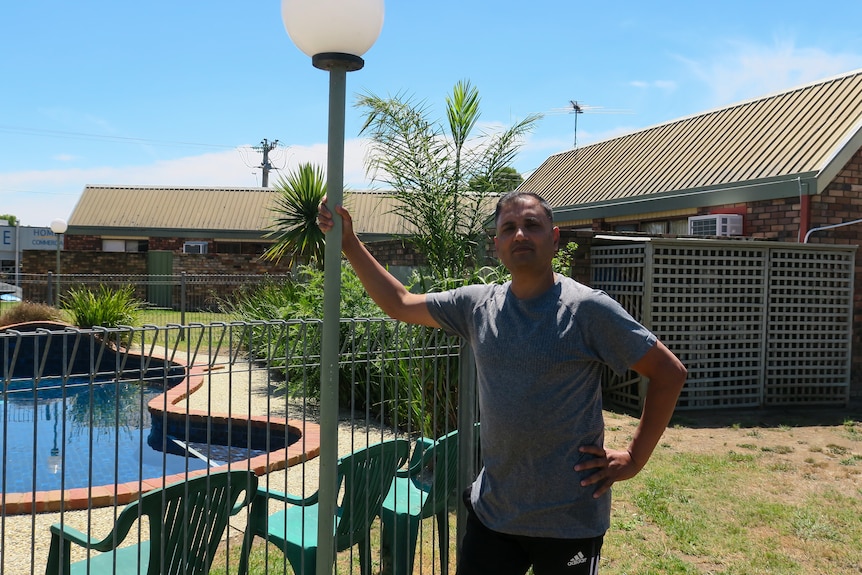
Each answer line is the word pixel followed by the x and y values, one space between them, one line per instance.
pixel 393 375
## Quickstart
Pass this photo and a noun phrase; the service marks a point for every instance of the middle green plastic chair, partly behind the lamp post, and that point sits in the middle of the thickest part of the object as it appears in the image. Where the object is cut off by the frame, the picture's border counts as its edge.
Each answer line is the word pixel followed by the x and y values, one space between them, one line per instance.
pixel 366 475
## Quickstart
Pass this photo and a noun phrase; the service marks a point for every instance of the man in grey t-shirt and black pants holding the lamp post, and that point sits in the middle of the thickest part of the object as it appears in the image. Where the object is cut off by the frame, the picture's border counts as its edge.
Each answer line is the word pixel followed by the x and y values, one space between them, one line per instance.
pixel 541 342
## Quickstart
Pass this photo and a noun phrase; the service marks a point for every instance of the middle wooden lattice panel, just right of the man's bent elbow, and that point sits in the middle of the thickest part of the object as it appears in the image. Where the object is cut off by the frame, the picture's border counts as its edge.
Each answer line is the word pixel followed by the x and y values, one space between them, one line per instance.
pixel 707 304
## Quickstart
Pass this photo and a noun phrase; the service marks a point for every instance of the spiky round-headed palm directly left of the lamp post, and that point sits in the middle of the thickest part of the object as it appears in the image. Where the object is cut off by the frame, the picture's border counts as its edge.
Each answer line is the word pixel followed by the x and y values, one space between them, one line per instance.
pixel 295 226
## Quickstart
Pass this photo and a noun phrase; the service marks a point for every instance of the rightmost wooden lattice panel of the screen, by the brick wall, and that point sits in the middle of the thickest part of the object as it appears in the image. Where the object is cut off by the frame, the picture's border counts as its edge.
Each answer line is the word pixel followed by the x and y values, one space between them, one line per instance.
pixel 809 327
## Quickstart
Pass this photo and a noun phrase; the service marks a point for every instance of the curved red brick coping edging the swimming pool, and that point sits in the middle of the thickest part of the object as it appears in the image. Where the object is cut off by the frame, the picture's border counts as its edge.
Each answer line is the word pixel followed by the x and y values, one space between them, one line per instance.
pixel 166 404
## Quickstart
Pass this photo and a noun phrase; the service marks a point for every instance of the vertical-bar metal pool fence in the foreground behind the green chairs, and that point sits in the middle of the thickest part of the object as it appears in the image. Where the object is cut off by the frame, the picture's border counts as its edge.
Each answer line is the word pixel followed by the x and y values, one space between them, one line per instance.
pixel 92 419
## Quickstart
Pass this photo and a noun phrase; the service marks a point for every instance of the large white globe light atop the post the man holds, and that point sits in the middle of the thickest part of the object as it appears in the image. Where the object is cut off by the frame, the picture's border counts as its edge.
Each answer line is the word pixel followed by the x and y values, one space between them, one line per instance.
pixel 338 26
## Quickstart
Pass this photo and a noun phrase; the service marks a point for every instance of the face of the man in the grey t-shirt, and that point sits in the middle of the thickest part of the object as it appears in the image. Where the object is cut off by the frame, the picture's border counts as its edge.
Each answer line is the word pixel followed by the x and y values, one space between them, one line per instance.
pixel 526 238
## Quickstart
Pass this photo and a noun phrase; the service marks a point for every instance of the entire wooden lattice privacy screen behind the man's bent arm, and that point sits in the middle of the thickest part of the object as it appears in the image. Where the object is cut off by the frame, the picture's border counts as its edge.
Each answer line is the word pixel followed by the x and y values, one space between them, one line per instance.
pixel 755 323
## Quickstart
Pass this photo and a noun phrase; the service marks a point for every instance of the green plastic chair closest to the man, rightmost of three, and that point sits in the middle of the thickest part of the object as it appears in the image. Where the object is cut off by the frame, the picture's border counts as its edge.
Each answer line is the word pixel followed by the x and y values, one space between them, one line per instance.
pixel 425 489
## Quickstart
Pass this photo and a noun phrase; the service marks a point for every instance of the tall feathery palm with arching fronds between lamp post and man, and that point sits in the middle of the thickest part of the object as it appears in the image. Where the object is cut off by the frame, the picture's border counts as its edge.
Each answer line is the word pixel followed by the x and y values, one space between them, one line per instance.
pixel 429 169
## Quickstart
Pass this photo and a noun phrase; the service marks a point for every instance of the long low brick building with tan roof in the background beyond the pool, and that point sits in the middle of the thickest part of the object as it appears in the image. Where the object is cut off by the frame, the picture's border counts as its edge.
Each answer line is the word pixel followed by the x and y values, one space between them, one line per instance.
pixel 169 227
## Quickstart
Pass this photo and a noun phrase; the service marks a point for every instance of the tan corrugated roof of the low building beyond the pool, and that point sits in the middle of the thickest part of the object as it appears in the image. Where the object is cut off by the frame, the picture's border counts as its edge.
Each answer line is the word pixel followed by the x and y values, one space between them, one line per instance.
pixel 211 210
